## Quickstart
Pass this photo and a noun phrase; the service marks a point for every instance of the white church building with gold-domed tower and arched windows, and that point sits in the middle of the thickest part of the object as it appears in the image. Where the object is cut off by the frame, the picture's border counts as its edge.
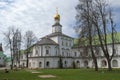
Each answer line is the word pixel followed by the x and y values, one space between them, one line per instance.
pixel 57 49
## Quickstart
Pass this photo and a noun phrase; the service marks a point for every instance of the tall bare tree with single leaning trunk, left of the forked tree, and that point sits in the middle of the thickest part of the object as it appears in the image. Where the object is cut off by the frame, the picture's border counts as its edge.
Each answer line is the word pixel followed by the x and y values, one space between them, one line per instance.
pixel 85 27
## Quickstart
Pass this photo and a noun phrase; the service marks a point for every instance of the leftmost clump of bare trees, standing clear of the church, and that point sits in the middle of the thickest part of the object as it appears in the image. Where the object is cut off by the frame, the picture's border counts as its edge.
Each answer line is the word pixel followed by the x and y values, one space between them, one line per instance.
pixel 12 40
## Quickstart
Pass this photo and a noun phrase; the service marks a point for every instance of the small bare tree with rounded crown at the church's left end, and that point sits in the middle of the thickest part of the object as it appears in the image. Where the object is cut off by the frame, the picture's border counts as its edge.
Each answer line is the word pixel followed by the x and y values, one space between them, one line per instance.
pixel 29 39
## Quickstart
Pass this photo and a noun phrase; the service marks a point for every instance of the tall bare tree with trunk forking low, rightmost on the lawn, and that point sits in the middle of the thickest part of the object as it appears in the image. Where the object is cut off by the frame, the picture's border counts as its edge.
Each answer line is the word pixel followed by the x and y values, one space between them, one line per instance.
pixel 103 21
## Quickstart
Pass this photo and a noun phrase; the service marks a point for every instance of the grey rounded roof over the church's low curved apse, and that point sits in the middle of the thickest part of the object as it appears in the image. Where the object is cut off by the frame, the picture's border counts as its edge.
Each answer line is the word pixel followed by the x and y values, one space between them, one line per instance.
pixel 46 41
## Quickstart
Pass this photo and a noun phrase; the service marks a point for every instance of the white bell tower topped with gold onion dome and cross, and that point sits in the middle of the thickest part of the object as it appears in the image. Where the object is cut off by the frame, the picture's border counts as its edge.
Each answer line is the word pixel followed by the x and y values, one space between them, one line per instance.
pixel 57 27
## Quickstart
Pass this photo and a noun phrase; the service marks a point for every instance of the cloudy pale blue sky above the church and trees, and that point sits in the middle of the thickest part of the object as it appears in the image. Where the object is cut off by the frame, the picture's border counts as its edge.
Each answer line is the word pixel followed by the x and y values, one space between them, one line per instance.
pixel 37 15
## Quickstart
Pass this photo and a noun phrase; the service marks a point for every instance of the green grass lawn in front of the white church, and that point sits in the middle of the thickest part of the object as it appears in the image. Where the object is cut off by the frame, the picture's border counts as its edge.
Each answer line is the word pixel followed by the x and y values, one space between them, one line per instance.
pixel 62 74
